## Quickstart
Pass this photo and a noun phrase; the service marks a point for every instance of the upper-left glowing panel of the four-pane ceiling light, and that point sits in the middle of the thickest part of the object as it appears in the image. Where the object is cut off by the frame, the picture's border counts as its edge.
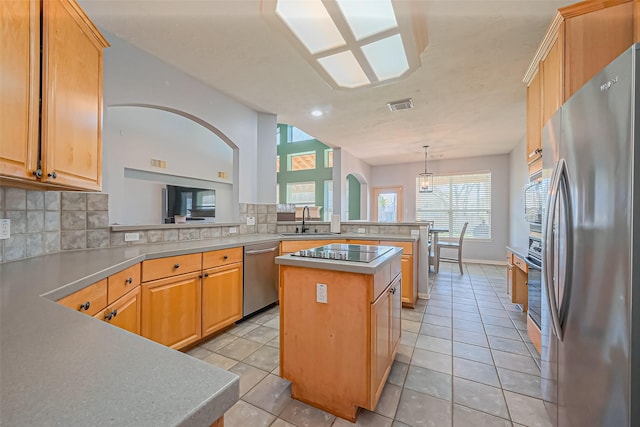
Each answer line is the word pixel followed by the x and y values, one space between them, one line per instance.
pixel 311 23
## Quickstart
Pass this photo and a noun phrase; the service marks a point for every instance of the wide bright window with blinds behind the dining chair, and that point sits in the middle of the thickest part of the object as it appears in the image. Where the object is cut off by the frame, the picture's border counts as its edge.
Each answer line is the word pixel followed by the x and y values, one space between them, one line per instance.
pixel 455 200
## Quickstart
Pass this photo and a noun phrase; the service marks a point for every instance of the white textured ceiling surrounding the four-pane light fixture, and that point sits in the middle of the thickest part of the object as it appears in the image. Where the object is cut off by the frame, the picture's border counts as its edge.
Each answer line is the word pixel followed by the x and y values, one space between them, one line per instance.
pixel 468 95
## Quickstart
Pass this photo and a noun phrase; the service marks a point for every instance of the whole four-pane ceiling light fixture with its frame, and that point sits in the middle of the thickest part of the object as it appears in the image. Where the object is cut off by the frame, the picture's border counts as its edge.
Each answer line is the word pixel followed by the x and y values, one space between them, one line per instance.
pixel 354 43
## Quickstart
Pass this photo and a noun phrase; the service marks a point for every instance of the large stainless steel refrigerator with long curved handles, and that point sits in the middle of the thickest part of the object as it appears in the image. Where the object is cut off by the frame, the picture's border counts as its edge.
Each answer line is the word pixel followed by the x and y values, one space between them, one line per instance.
pixel 591 234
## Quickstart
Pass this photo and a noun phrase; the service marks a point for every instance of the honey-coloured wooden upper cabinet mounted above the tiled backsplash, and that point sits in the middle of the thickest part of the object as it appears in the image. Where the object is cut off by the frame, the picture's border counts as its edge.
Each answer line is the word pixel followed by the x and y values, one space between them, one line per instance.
pixel 51 57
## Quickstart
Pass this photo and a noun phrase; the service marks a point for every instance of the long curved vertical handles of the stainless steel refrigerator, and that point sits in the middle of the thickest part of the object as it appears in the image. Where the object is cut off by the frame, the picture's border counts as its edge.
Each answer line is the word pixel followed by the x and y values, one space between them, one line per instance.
pixel 549 252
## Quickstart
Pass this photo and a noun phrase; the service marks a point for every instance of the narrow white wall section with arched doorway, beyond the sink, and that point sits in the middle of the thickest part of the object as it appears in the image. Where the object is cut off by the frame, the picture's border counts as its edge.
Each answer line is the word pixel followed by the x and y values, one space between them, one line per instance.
pixel 352 165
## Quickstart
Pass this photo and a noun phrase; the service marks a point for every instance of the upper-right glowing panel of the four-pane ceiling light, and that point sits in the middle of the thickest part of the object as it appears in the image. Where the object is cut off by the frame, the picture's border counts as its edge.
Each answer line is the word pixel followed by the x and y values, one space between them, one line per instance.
pixel 366 18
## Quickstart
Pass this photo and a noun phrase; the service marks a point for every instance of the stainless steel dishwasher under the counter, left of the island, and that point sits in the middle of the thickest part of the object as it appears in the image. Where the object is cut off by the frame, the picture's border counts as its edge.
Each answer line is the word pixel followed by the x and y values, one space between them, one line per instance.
pixel 260 277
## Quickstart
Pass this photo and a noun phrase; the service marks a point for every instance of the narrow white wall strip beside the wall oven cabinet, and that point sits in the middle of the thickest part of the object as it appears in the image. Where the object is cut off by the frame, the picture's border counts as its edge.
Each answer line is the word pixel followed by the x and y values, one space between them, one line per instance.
pixel 518 178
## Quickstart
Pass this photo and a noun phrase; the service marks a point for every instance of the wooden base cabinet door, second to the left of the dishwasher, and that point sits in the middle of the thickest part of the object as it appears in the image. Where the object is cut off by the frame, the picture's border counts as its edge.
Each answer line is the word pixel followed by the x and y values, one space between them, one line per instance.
pixel 171 310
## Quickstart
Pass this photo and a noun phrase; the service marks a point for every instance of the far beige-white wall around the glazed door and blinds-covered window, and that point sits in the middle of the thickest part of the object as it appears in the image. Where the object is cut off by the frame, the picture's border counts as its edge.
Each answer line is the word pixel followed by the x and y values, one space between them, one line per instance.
pixel 405 175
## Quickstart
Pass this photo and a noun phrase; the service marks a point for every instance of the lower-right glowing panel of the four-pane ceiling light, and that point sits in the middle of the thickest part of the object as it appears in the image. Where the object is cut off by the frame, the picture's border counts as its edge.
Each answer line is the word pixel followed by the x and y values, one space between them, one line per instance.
pixel 387 57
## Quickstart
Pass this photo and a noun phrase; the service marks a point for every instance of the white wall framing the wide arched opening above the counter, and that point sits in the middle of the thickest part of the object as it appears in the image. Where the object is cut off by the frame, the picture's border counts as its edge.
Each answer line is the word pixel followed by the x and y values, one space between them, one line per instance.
pixel 132 76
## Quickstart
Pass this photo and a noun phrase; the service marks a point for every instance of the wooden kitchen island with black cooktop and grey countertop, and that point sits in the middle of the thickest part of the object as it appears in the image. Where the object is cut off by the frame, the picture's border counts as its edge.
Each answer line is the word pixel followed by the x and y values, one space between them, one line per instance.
pixel 340 324
